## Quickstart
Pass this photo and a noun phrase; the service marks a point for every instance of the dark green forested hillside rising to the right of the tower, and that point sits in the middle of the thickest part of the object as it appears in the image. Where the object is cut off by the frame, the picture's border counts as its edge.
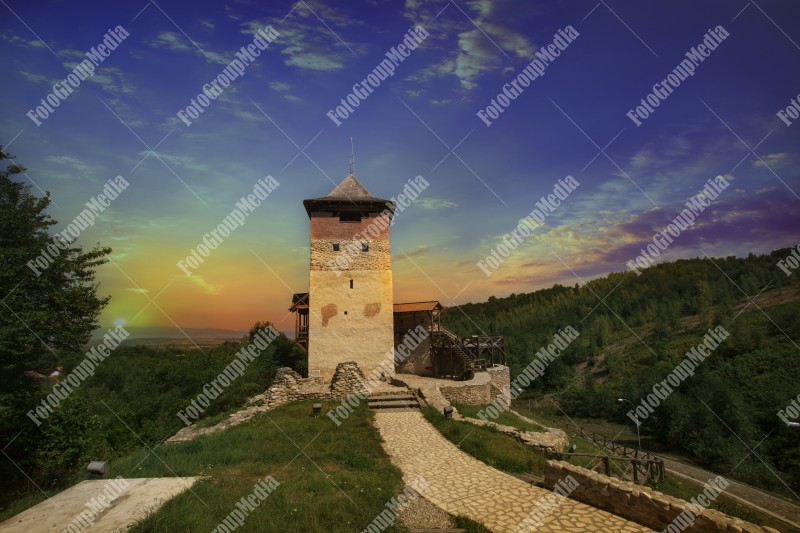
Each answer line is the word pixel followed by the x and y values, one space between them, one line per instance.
pixel 636 329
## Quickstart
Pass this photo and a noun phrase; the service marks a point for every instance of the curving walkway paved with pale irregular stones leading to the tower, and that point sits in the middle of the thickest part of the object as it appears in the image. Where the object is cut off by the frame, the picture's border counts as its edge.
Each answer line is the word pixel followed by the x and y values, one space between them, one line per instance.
pixel 461 485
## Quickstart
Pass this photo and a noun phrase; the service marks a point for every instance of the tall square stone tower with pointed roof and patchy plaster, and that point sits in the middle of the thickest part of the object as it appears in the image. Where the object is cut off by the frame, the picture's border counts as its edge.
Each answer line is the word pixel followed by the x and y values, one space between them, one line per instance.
pixel 350 314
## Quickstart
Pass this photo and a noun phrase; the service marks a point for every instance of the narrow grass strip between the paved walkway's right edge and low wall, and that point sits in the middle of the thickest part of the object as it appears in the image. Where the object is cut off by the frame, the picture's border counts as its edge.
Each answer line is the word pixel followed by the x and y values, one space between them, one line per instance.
pixel 496 449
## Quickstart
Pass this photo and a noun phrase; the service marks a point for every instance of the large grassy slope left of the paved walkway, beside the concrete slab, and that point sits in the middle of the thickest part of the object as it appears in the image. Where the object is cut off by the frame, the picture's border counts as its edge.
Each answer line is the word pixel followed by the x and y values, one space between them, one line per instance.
pixel 331 479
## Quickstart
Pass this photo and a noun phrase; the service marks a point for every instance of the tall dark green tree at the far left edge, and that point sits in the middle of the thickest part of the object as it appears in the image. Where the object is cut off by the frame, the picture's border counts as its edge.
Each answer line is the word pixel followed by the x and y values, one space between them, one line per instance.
pixel 41 316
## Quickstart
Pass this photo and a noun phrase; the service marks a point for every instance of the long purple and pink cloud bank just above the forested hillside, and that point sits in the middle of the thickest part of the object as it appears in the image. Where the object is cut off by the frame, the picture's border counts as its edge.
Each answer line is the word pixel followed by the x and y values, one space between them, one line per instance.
pixel 736 221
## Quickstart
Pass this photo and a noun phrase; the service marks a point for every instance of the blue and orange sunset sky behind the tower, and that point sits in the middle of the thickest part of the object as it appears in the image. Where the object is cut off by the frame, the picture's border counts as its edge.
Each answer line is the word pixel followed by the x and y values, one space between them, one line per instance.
pixel 573 113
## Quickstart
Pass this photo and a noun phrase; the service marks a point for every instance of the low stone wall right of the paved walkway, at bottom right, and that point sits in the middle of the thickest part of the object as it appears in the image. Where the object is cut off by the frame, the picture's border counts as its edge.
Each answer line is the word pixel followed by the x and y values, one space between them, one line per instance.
pixel 640 504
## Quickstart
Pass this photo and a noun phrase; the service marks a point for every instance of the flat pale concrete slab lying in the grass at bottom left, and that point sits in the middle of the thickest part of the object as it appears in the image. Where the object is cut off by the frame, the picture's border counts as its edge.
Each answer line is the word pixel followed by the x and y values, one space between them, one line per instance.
pixel 98 505
